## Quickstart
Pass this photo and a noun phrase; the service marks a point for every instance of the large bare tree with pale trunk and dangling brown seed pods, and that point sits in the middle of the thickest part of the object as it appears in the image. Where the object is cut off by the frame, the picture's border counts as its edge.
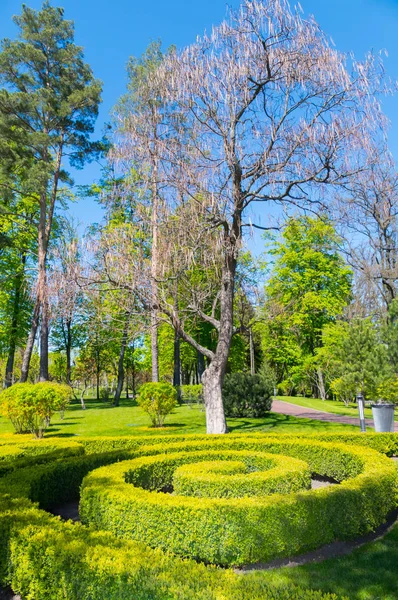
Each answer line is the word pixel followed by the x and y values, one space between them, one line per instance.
pixel 262 110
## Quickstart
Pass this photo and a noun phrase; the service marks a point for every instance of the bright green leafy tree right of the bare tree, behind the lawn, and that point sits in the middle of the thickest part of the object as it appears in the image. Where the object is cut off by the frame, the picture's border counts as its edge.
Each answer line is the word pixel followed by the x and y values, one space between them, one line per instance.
pixel 309 288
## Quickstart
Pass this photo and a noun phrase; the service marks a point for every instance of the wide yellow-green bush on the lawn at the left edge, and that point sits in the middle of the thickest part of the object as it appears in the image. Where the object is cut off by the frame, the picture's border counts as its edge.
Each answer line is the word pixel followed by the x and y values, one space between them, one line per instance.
pixel 30 406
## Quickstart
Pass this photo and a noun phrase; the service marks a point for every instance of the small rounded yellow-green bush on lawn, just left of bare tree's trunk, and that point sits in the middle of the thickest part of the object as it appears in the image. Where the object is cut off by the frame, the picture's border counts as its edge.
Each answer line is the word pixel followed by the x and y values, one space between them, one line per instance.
pixel 158 400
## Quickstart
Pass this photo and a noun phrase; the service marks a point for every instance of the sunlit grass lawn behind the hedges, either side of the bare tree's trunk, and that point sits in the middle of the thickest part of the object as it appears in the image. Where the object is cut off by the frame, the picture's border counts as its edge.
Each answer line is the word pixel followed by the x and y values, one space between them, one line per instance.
pixel 129 419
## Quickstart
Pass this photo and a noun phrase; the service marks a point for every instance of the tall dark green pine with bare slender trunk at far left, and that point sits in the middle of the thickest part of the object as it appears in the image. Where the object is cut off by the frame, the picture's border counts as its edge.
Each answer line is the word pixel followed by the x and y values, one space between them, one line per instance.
pixel 48 106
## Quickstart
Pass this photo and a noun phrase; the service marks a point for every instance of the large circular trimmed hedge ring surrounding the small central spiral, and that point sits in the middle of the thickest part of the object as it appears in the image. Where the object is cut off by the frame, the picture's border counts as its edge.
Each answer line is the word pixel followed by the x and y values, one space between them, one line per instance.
pixel 235 531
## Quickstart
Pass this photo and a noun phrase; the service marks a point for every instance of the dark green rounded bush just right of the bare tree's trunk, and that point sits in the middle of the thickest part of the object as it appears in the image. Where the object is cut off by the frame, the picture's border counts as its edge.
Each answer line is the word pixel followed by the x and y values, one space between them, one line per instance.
pixel 247 395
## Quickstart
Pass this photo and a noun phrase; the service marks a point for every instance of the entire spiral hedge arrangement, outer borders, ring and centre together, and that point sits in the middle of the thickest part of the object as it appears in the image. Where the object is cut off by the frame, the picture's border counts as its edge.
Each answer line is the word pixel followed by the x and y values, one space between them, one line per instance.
pixel 166 517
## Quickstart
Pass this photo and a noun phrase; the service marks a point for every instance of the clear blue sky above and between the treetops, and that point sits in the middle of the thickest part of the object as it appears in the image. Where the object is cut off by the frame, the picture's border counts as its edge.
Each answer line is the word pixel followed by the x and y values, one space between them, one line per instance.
pixel 111 31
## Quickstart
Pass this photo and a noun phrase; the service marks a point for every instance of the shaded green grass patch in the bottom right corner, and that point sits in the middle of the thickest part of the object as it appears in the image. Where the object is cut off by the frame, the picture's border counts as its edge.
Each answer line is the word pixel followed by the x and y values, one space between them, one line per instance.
pixel 369 573
